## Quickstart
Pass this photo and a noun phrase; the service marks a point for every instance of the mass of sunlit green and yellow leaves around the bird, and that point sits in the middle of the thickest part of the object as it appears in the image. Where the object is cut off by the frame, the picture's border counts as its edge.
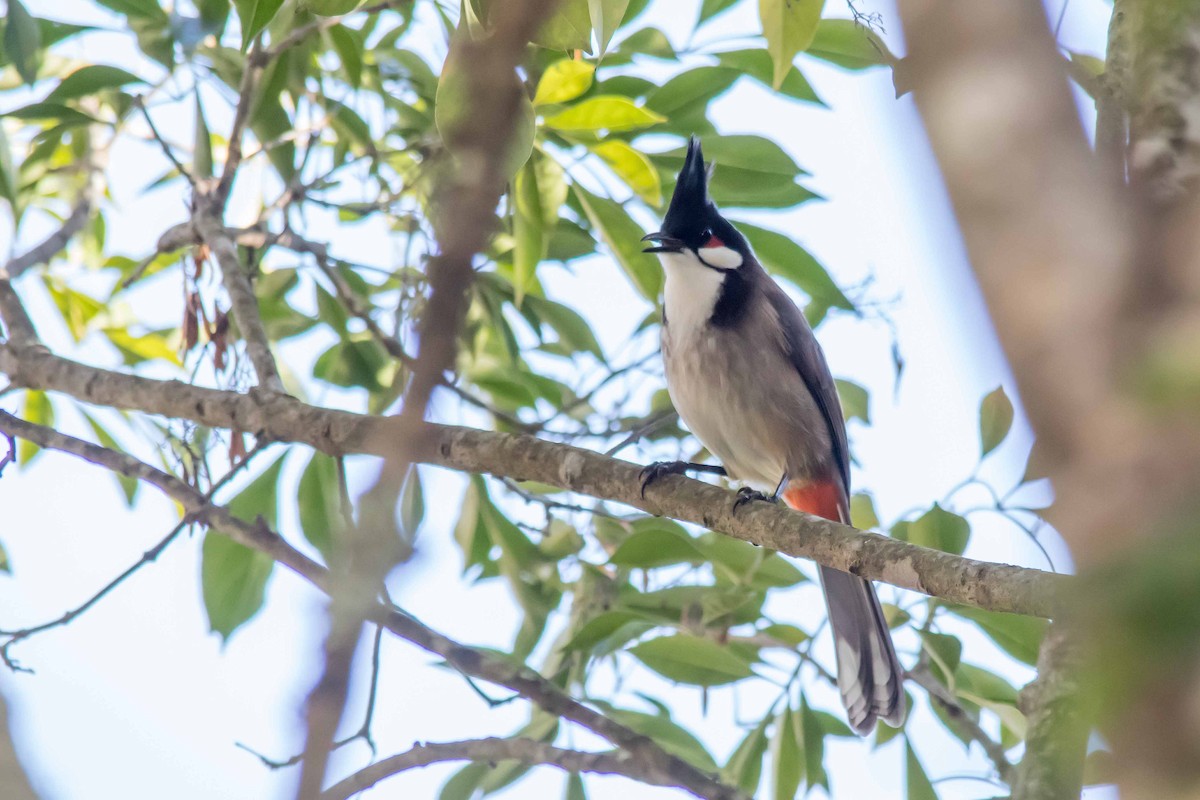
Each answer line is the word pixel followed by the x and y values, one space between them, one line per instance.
pixel 362 107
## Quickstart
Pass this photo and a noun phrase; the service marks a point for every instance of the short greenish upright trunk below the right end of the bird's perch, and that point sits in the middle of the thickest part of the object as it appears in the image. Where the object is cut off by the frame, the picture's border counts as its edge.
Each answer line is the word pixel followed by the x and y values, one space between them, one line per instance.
pixel 1053 767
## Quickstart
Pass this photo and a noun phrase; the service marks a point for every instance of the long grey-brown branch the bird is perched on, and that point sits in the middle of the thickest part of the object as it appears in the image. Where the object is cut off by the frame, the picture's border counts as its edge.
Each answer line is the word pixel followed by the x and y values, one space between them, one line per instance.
pixel 995 587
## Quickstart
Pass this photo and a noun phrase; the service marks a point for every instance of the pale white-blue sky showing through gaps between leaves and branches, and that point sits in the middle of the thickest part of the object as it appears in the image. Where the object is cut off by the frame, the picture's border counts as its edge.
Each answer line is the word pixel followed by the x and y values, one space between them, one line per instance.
pixel 137 701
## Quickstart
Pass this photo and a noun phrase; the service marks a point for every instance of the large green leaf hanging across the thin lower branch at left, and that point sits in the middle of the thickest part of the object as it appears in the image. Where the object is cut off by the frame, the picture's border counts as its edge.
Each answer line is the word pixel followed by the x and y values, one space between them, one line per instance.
pixel 233 576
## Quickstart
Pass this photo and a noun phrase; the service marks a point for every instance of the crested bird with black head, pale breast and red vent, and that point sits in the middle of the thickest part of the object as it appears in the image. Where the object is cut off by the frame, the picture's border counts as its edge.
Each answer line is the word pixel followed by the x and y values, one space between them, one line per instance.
pixel 751 381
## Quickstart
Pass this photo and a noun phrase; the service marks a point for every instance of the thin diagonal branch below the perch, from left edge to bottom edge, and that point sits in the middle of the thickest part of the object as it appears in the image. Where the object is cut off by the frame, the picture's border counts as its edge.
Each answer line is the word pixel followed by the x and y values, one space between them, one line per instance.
pixel 470 661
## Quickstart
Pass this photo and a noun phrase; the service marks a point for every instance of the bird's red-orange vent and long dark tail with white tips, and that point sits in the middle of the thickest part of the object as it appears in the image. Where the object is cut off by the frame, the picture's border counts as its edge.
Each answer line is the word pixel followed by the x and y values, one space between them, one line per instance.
pixel 869 676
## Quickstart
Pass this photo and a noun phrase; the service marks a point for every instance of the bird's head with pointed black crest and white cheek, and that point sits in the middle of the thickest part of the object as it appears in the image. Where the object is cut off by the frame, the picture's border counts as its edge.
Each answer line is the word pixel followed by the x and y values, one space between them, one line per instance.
pixel 693 227
